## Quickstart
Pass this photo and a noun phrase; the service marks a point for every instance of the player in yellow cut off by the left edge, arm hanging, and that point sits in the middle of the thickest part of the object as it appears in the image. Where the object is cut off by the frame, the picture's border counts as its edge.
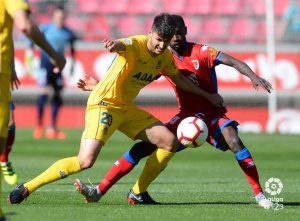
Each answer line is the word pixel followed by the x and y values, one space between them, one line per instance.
pixel 16 12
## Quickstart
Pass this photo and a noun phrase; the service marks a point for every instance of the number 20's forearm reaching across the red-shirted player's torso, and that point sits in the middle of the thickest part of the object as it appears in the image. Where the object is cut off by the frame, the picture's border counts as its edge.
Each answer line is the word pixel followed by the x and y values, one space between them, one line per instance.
pixel 185 84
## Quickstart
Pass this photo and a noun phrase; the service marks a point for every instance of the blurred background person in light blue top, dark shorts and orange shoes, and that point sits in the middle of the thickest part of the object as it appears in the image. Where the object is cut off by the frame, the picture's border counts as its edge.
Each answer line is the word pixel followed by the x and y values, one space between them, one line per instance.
pixel 59 36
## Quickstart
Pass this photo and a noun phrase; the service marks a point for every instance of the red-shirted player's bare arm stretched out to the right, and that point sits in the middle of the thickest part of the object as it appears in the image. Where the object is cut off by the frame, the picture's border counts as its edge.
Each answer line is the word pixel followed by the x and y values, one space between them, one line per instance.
pixel 244 69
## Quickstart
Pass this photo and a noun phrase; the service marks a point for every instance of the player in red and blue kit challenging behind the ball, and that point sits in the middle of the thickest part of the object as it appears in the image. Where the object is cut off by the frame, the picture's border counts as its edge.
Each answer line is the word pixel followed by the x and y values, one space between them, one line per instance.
pixel 197 62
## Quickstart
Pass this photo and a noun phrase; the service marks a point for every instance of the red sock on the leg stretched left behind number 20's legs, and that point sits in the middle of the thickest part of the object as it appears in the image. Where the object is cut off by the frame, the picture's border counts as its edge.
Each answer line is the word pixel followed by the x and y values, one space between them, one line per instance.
pixel 120 168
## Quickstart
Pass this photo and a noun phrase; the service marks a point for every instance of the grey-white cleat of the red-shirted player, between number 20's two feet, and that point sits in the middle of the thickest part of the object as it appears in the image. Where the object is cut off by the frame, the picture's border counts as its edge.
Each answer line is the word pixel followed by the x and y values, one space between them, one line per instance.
pixel 90 192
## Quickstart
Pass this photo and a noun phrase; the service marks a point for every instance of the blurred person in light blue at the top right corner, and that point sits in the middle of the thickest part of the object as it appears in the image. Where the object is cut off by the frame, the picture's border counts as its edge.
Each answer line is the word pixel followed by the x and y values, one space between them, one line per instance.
pixel 290 25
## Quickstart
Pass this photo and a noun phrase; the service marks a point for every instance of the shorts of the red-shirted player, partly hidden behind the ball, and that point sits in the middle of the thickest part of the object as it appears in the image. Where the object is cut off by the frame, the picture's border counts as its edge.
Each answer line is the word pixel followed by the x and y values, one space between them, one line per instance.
pixel 215 126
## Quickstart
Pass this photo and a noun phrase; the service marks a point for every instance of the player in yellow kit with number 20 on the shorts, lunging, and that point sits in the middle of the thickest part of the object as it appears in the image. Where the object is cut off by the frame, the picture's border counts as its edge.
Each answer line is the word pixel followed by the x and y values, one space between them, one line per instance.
pixel 110 107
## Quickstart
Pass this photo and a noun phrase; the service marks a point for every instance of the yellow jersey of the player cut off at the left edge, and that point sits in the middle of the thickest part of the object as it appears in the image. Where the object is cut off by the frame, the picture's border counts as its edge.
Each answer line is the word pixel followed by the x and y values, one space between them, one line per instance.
pixel 7 10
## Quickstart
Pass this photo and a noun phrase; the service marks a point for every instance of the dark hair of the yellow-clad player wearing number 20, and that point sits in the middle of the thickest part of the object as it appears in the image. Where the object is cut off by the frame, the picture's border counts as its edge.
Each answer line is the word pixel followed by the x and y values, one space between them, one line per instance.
pixel 164 25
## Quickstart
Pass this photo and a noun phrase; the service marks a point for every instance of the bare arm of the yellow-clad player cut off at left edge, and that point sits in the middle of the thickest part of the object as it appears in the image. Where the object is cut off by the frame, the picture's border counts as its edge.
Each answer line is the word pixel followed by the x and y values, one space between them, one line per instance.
pixel 25 24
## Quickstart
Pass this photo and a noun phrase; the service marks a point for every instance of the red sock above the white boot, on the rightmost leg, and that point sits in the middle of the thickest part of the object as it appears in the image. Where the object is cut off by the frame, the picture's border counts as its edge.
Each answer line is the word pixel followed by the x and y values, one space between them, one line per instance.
pixel 251 174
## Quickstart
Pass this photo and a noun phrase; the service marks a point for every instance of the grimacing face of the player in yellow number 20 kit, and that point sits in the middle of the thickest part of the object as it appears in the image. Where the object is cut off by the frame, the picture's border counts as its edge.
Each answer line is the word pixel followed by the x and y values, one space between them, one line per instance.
pixel 156 44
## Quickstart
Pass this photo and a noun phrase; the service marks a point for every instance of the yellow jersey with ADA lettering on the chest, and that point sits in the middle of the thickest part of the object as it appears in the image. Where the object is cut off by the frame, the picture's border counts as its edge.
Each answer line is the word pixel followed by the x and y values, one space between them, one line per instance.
pixel 130 71
